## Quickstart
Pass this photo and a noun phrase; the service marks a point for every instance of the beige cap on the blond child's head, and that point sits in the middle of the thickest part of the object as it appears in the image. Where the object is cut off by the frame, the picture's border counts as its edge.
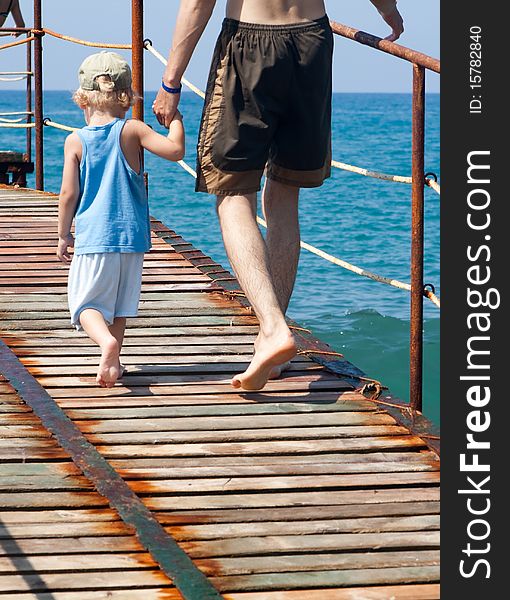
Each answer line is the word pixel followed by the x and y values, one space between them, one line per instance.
pixel 104 63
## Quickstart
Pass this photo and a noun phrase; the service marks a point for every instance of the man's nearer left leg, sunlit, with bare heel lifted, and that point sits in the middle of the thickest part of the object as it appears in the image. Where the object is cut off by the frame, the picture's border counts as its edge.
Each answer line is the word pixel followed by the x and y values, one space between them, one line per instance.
pixel 247 253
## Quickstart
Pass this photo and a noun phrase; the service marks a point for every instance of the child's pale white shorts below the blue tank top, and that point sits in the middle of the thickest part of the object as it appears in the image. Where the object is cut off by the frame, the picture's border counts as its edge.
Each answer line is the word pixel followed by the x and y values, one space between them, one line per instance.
pixel 109 282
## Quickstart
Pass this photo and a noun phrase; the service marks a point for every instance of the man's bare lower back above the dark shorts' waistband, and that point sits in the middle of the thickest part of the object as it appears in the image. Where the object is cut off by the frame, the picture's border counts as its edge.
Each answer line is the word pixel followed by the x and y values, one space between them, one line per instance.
pixel 275 12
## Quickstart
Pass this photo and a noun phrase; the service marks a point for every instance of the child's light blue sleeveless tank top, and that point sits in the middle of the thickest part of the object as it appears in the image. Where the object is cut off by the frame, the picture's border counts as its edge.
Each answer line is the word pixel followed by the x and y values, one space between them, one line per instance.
pixel 113 211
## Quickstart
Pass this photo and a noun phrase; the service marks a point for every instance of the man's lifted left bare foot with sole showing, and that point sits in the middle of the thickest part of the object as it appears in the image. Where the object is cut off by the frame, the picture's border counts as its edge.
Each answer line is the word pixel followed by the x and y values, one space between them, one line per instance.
pixel 270 354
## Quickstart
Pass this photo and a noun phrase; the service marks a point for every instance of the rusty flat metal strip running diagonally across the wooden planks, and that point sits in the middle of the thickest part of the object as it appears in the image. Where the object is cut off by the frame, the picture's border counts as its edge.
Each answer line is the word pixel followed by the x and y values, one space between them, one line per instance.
pixel 174 562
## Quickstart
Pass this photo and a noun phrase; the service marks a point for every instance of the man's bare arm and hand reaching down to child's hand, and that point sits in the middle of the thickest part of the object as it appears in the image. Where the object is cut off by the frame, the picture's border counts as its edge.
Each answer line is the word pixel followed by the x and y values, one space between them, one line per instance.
pixel 192 19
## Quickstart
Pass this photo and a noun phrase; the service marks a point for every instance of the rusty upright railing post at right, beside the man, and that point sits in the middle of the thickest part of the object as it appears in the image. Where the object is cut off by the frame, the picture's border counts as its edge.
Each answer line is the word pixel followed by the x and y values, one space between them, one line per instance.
pixel 417 239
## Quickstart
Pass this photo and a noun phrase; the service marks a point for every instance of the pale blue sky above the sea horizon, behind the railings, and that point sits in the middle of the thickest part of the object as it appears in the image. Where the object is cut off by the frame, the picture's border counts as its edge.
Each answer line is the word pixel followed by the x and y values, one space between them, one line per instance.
pixel 356 68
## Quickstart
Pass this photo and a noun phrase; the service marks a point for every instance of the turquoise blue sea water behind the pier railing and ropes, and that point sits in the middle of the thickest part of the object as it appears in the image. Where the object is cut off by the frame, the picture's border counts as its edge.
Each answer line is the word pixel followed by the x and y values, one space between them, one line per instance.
pixel 361 220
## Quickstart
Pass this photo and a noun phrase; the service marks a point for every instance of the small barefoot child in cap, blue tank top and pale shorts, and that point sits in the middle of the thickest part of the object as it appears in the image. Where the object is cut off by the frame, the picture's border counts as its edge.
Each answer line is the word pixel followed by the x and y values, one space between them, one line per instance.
pixel 103 189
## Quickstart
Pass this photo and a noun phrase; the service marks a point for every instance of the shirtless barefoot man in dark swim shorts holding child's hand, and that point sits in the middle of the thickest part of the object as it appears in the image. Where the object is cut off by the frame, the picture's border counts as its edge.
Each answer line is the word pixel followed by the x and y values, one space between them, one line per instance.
pixel 268 107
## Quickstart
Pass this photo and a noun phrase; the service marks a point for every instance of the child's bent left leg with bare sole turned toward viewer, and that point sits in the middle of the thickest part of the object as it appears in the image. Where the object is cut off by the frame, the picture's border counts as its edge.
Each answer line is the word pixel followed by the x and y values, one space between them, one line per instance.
pixel 97 329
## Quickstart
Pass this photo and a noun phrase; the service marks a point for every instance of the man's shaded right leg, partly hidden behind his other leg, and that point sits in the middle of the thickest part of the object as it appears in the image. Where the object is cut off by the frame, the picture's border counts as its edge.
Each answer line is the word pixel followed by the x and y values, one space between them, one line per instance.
pixel 280 207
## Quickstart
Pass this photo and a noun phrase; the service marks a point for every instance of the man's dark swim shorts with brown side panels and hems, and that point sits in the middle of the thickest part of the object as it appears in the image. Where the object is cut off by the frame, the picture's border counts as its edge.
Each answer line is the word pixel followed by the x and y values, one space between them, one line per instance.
pixel 267 107
